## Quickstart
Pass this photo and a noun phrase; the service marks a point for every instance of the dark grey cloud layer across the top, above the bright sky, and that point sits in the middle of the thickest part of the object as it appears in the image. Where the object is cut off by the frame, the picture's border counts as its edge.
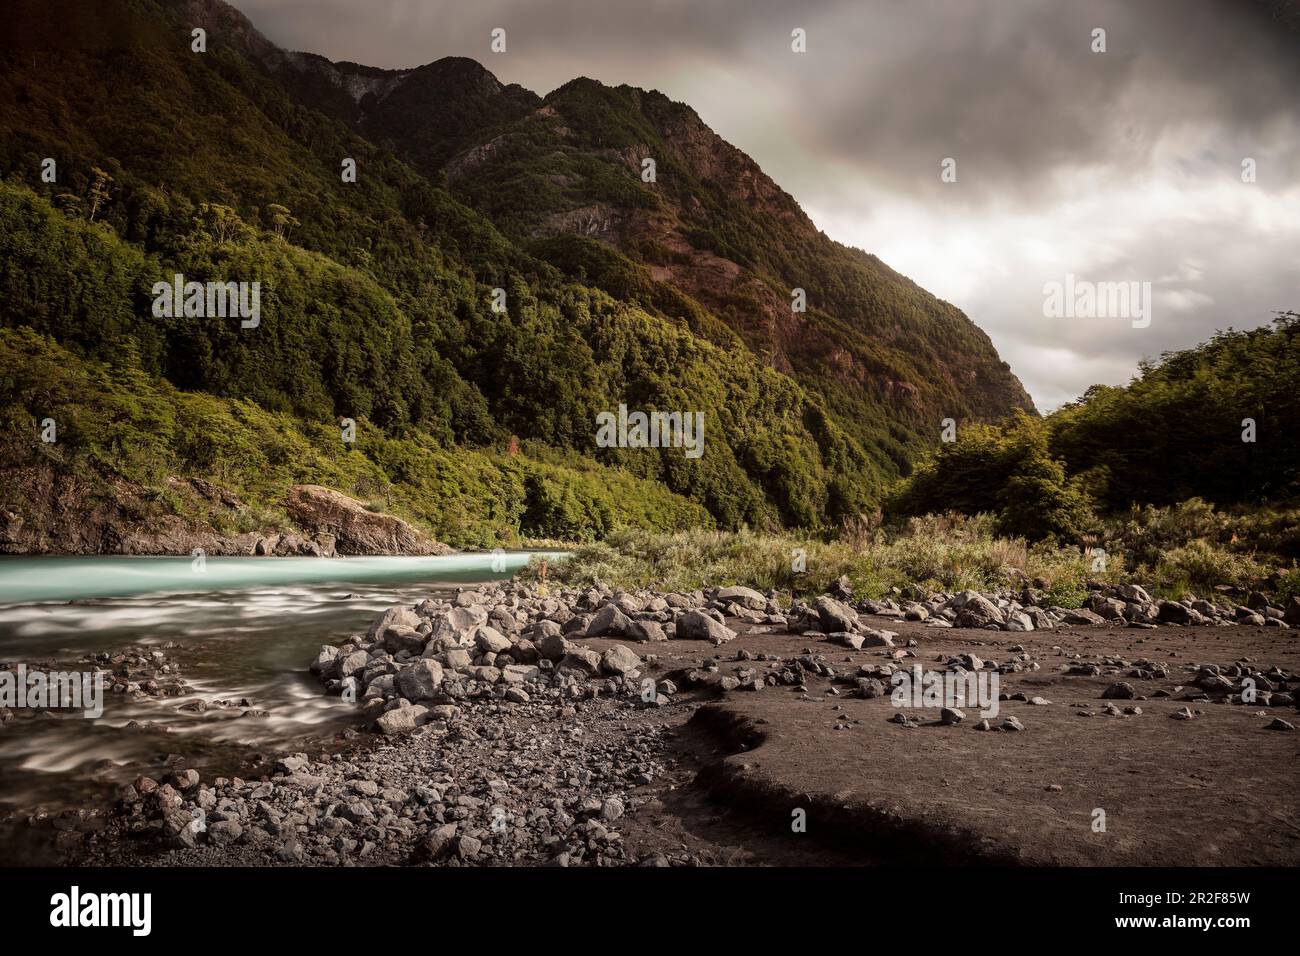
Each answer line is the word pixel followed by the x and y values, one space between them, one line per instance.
pixel 1008 88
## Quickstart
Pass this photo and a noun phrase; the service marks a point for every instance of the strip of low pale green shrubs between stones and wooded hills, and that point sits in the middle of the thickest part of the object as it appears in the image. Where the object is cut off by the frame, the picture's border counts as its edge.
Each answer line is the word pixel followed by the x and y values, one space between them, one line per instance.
pixel 935 552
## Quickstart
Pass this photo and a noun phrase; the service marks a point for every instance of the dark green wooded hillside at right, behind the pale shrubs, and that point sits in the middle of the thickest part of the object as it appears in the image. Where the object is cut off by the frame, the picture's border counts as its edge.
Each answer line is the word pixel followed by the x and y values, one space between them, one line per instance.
pixel 1215 423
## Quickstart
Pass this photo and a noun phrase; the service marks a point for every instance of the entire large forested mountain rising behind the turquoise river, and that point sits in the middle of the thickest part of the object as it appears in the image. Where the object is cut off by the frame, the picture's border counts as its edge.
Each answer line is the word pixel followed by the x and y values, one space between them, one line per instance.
pixel 226 166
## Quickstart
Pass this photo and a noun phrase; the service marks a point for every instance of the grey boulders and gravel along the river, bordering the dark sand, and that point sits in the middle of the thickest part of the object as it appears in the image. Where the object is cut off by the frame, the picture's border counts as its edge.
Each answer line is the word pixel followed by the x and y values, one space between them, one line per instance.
pixel 517 725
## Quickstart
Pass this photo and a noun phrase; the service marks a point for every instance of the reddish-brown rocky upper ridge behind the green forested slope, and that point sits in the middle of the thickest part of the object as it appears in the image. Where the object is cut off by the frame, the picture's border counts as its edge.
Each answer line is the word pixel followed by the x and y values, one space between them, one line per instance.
pixel 710 226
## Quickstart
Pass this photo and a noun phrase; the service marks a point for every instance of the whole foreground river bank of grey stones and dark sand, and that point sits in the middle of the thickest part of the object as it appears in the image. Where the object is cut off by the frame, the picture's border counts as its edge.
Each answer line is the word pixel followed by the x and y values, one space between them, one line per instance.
pixel 515 726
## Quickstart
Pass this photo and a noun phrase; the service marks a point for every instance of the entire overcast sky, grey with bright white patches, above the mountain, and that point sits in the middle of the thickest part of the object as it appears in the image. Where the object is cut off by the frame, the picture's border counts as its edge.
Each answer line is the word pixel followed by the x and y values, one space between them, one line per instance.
pixel 1117 166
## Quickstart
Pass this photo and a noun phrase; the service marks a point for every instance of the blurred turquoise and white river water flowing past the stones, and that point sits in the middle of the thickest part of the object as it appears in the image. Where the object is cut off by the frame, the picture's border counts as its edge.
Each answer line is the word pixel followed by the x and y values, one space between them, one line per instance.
pixel 245 630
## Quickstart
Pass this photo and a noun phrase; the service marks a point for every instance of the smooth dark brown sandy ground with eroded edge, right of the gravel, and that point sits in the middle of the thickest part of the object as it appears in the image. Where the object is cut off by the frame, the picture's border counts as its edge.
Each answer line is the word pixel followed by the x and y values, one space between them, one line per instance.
pixel 1216 790
